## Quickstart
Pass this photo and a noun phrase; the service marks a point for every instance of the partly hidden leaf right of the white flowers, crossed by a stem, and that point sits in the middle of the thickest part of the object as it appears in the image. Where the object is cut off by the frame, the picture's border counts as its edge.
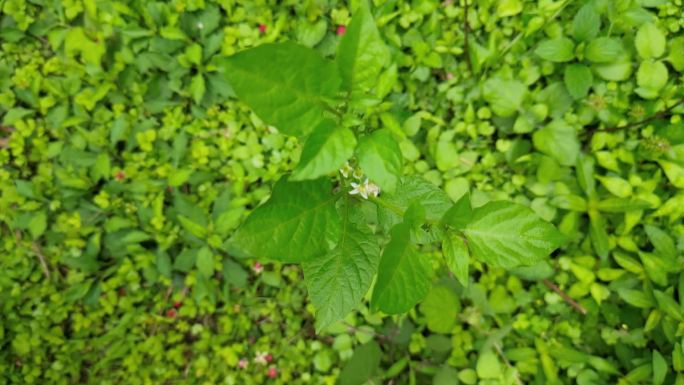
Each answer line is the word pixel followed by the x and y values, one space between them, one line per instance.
pixel 413 189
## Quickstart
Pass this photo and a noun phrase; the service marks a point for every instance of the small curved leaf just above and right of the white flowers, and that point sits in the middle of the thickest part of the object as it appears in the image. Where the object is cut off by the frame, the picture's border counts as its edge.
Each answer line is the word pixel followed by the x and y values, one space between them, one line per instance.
pixel 380 159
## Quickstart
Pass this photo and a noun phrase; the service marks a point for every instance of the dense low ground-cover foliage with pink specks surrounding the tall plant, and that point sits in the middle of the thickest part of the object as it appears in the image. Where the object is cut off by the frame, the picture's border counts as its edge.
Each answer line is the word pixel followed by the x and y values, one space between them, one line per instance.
pixel 127 163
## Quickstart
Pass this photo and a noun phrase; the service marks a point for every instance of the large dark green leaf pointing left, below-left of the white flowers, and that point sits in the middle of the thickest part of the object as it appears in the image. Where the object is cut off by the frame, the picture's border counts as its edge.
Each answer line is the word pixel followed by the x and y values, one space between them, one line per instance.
pixel 299 222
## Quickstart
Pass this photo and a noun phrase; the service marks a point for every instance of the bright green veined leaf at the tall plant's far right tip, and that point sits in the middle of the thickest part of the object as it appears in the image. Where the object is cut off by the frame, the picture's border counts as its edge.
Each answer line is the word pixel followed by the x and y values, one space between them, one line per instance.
pixel 506 234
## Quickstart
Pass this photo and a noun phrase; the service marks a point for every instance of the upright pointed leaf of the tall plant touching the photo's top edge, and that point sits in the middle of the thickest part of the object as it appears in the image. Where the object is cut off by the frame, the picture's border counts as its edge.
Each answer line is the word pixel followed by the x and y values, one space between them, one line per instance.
pixel 361 54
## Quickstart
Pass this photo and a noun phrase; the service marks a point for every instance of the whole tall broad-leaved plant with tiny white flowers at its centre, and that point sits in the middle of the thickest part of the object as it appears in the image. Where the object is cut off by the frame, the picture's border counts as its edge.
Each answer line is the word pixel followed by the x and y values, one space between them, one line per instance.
pixel 369 218
